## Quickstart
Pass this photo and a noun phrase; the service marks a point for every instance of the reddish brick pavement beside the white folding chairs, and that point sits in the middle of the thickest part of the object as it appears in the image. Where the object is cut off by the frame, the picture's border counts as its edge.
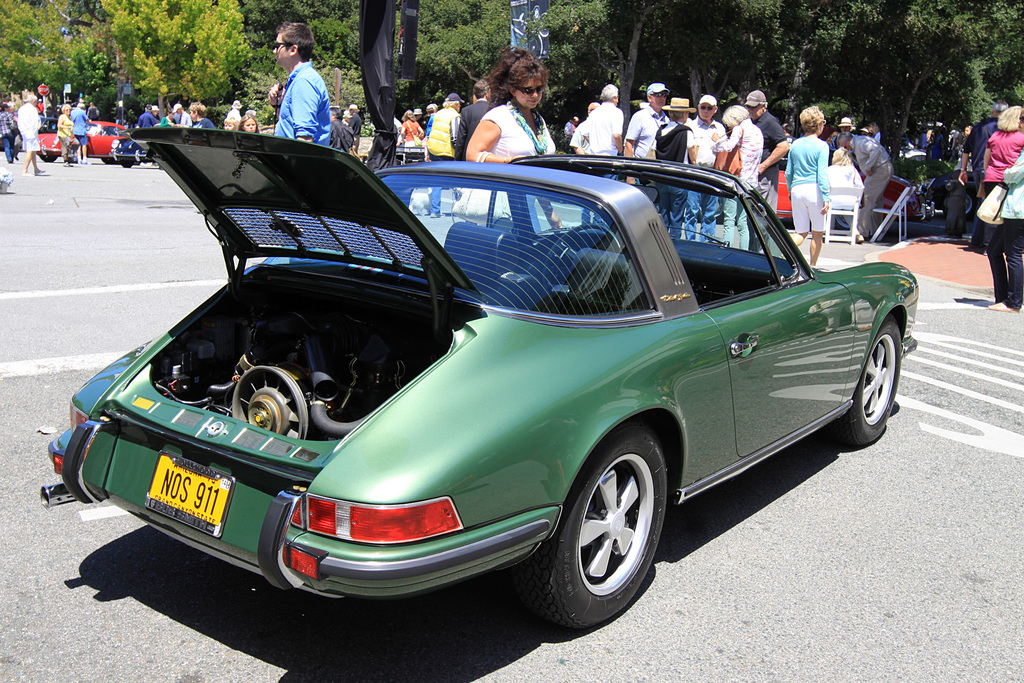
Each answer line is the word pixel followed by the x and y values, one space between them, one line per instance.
pixel 944 260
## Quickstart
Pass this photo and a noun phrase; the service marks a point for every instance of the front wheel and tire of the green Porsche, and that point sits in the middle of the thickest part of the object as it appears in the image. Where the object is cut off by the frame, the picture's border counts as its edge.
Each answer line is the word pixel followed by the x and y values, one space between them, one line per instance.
pixel 876 393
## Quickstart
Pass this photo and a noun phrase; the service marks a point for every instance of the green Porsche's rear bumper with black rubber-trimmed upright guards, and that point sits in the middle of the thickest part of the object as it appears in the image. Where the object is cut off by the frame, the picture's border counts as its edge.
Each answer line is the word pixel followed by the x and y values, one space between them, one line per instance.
pixel 344 569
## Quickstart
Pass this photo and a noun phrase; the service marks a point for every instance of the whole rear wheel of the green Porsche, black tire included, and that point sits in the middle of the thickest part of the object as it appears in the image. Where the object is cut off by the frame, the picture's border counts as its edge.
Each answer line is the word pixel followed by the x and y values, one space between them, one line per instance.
pixel 583 576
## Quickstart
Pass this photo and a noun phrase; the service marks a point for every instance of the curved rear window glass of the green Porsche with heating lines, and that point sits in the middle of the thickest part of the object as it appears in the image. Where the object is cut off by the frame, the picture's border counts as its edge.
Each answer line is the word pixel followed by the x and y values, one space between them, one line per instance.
pixel 528 249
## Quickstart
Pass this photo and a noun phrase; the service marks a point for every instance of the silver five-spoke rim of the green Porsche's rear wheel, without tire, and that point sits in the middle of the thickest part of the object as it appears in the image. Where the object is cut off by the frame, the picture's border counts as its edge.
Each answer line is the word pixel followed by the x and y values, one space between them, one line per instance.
pixel 617 528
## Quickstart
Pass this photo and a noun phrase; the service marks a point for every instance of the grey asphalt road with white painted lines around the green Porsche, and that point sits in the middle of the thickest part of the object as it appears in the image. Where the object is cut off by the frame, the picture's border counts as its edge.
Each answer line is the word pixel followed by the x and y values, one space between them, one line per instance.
pixel 901 562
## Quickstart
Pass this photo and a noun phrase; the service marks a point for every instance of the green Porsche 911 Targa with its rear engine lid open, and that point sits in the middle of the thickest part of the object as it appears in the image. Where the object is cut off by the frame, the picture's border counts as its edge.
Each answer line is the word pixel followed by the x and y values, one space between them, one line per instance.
pixel 378 406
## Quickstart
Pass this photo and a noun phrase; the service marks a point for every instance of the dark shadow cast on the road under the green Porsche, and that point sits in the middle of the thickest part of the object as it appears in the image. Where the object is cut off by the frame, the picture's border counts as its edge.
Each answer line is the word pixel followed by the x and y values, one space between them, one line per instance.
pixel 458 634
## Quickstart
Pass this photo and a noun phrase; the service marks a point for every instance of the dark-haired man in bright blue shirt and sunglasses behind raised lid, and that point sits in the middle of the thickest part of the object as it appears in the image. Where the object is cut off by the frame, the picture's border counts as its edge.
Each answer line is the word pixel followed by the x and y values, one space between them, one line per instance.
pixel 306 111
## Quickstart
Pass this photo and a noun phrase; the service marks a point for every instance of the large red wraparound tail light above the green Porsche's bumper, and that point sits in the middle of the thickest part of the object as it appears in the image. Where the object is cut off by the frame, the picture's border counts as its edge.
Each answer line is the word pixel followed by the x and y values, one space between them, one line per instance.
pixel 380 524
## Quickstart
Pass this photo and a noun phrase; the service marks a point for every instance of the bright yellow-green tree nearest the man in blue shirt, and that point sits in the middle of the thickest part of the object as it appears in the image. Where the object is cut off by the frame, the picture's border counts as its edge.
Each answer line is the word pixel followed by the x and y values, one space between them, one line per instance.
pixel 180 48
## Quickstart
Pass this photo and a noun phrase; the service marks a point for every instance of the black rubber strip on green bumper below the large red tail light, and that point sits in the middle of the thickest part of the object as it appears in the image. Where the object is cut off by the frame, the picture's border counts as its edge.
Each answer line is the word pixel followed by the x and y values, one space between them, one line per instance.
pixel 535 532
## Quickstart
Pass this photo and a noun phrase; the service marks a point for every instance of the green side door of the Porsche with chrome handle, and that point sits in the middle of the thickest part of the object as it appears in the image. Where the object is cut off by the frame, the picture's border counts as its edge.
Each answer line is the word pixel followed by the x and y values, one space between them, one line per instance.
pixel 790 344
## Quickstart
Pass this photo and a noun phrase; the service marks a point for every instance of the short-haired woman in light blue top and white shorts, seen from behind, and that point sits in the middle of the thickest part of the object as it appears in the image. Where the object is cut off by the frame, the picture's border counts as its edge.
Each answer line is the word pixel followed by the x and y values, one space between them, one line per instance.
pixel 807 178
